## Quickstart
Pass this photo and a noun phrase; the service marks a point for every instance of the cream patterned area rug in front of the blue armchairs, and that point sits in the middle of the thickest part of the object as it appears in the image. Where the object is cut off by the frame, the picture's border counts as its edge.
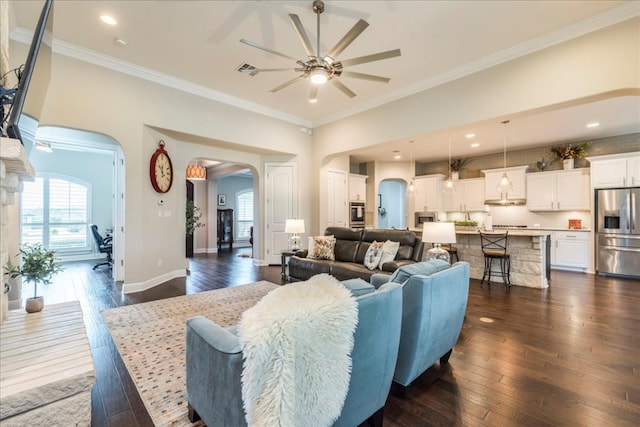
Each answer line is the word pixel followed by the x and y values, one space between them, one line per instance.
pixel 151 340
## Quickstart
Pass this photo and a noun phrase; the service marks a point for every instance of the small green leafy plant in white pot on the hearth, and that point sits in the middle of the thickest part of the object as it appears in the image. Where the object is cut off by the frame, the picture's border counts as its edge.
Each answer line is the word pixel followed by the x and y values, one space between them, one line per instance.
pixel 38 266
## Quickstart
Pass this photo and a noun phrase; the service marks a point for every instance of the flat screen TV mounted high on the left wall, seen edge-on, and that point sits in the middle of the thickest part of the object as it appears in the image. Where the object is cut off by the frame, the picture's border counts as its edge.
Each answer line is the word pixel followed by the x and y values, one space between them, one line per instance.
pixel 34 79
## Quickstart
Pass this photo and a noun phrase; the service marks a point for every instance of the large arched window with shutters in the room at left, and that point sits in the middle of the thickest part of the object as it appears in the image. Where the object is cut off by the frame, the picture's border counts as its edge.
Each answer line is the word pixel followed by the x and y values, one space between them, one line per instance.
pixel 55 212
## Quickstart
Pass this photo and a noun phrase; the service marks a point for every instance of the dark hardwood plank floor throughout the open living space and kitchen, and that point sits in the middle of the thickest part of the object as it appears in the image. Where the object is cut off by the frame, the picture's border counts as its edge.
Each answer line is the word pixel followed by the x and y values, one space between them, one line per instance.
pixel 567 355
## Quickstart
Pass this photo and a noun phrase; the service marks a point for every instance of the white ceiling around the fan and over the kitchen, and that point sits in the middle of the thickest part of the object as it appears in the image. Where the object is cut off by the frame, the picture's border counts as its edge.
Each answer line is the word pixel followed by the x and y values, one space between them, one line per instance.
pixel 197 43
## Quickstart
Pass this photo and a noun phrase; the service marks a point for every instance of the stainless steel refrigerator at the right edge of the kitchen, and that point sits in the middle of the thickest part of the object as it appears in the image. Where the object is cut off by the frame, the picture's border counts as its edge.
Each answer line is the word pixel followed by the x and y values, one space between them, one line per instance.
pixel 618 231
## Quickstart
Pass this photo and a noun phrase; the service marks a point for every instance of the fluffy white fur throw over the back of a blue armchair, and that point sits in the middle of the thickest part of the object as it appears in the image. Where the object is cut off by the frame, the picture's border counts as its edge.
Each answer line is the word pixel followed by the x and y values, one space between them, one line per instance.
pixel 296 345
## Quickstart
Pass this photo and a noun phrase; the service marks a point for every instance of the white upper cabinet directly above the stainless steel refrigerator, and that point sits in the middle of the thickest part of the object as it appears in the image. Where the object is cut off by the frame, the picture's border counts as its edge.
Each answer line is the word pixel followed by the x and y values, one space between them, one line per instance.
pixel 615 170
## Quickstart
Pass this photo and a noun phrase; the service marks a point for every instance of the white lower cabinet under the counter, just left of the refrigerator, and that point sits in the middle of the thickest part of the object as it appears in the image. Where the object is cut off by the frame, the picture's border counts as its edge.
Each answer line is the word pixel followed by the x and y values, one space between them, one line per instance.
pixel 570 249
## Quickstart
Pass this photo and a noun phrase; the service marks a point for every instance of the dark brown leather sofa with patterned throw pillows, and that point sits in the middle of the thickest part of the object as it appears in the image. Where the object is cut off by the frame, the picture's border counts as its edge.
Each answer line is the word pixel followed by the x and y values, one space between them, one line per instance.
pixel 349 254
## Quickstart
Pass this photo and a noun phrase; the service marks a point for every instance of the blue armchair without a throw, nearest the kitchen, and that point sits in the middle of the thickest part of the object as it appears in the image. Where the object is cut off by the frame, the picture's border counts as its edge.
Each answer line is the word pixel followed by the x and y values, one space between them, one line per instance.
pixel 434 304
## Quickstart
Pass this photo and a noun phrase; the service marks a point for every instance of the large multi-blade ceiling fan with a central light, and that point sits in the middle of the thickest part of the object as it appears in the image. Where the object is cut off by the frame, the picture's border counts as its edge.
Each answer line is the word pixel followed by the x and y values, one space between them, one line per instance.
pixel 322 69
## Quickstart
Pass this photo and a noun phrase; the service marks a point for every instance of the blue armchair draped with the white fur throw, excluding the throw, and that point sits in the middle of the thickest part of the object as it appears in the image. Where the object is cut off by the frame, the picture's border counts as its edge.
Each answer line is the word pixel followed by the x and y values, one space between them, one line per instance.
pixel 214 363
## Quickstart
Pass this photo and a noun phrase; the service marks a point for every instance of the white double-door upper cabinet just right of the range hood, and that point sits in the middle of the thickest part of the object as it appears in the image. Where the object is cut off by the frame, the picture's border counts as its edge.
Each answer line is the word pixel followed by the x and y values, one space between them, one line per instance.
pixel 558 190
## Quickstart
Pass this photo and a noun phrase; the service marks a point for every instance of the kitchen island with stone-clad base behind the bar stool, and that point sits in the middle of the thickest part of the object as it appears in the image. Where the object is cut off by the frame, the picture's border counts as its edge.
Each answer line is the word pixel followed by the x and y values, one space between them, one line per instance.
pixel 530 256
